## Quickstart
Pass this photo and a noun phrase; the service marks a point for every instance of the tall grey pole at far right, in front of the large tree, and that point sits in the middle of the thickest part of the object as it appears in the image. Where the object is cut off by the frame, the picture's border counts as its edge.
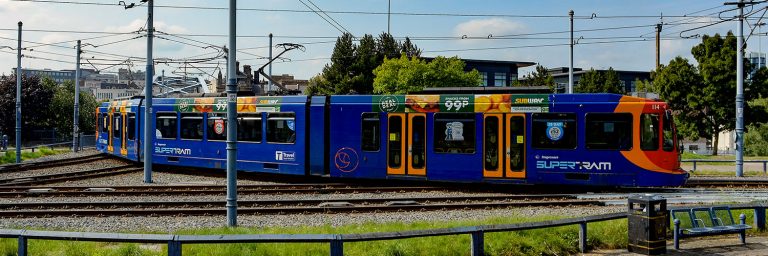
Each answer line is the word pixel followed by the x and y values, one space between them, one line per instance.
pixel 739 94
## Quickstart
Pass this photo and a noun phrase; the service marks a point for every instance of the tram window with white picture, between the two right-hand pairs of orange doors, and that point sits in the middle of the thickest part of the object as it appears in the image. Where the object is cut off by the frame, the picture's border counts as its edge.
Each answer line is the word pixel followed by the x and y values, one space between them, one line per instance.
pixel 455 133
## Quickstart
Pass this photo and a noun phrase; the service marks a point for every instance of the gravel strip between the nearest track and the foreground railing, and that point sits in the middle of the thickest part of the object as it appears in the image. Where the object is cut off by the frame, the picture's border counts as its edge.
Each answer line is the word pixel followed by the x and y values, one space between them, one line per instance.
pixel 175 224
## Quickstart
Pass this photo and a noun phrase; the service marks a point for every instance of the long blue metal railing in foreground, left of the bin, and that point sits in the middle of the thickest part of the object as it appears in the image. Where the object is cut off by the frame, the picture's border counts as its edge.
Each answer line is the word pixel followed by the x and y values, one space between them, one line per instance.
pixel 336 241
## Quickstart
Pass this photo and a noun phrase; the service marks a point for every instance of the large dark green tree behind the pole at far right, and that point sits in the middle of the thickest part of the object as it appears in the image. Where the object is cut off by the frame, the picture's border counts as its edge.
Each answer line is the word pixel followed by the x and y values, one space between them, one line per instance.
pixel 702 97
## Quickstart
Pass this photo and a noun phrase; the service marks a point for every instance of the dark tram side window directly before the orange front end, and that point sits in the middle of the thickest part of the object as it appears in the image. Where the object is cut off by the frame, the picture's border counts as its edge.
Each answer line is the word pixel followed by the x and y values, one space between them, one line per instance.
pixel 611 131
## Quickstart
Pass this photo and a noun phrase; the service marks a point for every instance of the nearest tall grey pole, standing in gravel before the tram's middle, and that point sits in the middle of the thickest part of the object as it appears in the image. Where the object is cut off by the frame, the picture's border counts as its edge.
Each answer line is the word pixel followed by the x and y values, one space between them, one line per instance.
pixel 231 116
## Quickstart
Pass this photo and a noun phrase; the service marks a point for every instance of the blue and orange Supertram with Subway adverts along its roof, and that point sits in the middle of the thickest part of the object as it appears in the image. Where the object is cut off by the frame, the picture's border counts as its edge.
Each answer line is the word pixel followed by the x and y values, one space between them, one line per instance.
pixel 570 139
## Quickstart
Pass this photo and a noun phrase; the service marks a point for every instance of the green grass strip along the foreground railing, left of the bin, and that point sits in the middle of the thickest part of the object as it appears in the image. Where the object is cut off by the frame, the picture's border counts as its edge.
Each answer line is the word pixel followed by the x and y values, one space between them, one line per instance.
pixel 549 241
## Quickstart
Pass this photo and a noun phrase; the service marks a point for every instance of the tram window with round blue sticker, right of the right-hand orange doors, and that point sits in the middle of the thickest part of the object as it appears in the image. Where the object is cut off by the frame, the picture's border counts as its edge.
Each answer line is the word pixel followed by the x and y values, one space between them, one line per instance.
pixel 554 130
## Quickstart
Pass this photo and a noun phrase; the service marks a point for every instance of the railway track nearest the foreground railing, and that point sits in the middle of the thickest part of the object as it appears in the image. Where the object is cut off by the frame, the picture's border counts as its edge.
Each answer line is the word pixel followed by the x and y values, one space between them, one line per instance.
pixel 174 208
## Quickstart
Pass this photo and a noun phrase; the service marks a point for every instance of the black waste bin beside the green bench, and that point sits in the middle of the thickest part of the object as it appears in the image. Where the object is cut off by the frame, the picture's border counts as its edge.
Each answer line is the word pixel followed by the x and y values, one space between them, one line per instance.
pixel 647 221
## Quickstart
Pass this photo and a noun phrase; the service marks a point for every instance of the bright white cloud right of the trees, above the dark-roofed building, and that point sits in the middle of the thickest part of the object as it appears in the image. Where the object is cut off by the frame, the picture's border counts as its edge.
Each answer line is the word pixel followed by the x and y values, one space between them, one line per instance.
pixel 485 27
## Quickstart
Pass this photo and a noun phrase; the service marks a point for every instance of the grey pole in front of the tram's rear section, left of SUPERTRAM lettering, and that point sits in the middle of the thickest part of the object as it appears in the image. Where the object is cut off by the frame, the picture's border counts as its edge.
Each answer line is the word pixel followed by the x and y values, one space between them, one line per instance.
pixel 149 131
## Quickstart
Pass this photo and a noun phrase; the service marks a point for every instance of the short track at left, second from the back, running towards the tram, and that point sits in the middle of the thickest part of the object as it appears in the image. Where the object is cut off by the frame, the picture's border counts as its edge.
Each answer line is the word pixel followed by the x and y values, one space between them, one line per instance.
pixel 69 176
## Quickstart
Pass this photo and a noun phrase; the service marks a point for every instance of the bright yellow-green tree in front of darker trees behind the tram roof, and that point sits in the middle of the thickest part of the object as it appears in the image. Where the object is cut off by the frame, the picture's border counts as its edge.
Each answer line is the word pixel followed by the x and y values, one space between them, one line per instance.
pixel 407 75
